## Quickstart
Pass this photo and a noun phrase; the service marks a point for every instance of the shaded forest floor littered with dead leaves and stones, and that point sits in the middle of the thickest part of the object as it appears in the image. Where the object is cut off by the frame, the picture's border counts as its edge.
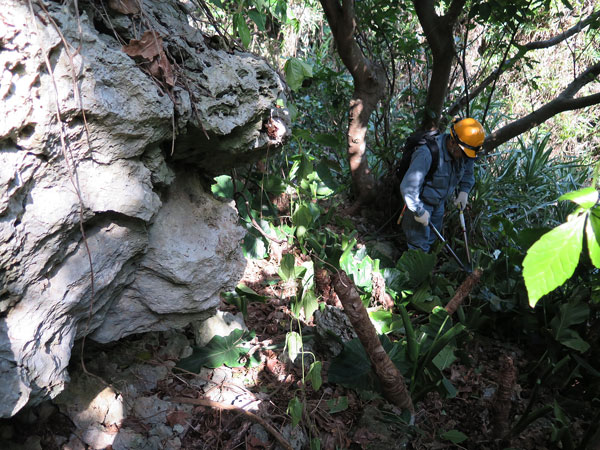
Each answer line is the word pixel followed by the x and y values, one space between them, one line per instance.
pixel 199 406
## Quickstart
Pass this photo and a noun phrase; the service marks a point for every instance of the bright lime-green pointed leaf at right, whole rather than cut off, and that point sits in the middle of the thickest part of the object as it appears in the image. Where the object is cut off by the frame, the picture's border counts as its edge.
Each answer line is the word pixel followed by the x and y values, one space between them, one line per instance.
pixel 553 258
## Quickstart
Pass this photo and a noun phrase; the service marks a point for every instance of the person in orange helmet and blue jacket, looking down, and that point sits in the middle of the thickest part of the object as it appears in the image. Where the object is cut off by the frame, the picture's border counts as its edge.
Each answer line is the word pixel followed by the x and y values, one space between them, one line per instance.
pixel 425 198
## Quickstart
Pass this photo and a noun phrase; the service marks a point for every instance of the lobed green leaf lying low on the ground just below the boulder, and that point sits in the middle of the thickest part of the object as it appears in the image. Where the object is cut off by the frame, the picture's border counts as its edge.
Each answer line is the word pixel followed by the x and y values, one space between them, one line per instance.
pixel 221 350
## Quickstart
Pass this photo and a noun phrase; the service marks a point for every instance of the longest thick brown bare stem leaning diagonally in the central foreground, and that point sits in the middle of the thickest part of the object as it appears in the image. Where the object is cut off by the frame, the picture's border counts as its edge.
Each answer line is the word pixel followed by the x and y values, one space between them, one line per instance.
pixel 392 380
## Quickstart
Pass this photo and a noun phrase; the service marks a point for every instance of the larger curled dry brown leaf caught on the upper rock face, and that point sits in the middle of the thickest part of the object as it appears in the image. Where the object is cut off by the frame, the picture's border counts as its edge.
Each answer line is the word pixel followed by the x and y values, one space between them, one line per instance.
pixel 149 51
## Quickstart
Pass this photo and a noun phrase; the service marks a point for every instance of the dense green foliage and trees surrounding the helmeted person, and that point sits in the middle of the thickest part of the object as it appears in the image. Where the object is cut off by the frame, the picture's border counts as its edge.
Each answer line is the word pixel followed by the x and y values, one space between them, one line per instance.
pixel 508 62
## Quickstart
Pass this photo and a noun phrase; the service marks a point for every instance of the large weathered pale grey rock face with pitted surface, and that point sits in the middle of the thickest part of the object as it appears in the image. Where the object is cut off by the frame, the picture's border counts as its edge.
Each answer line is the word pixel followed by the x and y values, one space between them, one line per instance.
pixel 160 246
